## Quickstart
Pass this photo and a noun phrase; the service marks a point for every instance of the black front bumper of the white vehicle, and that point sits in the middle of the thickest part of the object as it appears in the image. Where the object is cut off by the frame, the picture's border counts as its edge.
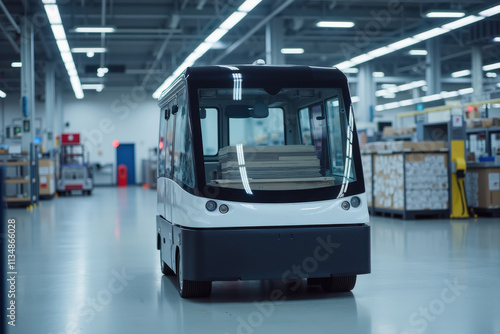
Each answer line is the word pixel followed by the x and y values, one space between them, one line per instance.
pixel 273 253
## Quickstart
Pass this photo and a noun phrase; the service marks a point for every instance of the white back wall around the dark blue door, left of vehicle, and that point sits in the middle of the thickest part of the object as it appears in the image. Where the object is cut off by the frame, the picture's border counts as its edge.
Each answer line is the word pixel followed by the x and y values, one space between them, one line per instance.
pixel 130 116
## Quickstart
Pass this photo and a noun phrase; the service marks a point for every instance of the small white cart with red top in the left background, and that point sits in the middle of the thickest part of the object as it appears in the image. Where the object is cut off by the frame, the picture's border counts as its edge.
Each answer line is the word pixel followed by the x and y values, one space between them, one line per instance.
pixel 74 174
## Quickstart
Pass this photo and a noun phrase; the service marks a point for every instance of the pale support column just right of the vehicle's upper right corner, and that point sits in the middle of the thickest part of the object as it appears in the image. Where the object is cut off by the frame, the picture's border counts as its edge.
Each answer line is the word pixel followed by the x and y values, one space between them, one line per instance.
pixel 366 92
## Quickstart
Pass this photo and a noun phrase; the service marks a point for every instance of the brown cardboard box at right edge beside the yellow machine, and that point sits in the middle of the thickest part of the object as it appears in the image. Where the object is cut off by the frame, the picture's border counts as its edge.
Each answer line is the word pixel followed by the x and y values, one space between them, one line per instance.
pixel 488 187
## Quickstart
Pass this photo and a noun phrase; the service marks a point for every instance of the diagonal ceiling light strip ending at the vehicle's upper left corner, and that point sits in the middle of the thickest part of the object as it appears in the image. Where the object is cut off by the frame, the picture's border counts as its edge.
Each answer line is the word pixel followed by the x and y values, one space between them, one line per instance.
pixel 209 42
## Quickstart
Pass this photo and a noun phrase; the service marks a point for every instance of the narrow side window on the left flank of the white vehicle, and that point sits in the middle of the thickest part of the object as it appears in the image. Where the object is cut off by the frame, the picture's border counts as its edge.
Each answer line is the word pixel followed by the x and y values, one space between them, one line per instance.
pixel 183 145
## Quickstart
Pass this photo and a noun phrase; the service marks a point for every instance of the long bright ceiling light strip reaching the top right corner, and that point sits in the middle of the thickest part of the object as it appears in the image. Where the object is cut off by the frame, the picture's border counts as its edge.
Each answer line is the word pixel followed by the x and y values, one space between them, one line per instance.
pixel 428 34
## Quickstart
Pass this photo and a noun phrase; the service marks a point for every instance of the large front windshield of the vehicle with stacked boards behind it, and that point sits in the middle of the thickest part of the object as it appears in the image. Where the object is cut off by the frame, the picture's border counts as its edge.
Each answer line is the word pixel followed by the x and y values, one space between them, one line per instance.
pixel 282 139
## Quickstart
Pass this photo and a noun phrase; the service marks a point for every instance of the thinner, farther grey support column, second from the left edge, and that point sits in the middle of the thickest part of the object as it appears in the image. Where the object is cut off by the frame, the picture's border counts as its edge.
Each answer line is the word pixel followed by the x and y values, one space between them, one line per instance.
pixel 50 101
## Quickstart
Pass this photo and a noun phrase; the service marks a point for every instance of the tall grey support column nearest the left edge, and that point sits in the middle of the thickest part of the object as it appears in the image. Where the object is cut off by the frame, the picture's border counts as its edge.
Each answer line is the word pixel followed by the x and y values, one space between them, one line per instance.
pixel 27 83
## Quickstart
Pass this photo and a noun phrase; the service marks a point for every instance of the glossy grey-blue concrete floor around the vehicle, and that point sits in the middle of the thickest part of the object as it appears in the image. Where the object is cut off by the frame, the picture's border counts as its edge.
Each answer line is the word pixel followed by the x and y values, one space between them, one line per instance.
pixel 90 265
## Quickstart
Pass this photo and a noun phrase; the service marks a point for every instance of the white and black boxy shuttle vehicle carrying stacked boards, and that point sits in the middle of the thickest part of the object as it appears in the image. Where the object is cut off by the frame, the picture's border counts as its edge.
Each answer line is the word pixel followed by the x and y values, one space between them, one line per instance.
pixel 259 177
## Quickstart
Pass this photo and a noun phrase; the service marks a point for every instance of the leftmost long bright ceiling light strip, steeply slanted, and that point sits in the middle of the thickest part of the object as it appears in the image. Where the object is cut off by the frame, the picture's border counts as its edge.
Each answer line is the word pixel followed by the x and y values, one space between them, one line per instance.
pixel 57 27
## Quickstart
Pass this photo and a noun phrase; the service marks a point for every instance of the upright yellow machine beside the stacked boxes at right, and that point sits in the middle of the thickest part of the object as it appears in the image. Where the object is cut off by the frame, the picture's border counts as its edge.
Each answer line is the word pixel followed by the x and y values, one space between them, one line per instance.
pixel 459 166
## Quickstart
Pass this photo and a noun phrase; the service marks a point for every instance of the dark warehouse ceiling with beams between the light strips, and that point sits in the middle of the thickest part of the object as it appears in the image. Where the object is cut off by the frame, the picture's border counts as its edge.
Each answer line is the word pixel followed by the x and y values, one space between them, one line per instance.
pixel 153 37
